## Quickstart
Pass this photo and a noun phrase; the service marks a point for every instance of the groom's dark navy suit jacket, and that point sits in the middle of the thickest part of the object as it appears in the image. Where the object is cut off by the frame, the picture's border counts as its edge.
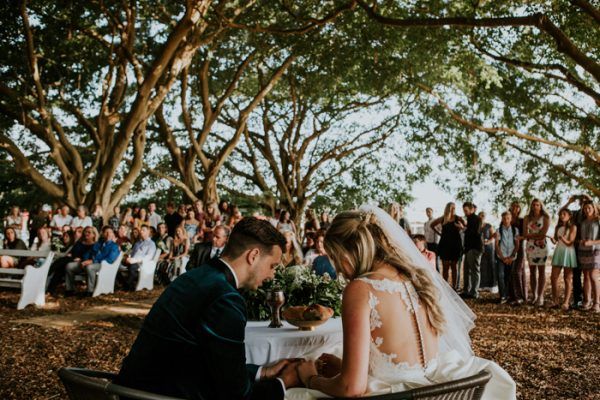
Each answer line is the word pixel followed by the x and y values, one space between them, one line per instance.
pixel 191 344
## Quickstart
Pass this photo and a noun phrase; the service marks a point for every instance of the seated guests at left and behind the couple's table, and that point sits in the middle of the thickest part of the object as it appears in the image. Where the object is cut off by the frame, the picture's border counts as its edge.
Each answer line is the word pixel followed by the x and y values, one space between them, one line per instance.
pixel 191 232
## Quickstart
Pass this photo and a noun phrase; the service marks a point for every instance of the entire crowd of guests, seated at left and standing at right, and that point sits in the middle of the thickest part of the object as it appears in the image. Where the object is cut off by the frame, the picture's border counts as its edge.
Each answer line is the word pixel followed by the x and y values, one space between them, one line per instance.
pixel 492 258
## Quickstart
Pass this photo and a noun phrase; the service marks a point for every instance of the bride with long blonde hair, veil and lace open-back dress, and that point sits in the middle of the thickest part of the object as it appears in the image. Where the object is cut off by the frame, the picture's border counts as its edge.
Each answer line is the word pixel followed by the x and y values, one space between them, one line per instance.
pixel 403 326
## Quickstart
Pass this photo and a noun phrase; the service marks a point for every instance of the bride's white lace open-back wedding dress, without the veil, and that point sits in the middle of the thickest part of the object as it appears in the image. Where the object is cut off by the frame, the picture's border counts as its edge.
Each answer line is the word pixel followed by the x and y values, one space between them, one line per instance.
pixel 387 376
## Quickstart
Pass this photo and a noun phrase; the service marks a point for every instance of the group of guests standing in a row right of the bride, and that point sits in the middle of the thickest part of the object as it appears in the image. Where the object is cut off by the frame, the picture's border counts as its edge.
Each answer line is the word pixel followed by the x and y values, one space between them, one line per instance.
pixel 495 259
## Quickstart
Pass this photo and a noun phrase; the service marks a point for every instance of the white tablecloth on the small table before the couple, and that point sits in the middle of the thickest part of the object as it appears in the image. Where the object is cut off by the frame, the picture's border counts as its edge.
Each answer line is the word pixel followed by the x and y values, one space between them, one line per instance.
pixel 265 345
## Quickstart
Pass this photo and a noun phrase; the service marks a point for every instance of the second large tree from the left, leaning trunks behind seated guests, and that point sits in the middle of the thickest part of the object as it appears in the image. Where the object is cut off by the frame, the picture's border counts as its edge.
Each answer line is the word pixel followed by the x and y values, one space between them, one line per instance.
pixel 227 81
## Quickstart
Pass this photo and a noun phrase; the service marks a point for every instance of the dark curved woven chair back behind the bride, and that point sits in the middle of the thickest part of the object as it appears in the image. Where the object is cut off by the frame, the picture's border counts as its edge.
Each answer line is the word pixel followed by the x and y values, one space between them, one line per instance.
pixel 469 388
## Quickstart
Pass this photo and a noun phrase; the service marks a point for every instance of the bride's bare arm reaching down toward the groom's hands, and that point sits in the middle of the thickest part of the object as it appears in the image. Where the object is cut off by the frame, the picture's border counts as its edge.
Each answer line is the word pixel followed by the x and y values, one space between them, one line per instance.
pixel 352 380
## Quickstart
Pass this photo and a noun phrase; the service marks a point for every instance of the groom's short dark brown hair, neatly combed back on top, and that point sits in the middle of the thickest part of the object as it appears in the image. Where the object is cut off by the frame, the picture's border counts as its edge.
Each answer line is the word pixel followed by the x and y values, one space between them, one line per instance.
pixel 252 232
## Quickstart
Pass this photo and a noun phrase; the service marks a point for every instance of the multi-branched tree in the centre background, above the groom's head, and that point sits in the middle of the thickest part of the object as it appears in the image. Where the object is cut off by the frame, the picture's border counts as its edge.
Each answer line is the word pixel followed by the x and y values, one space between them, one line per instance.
pixel 303 144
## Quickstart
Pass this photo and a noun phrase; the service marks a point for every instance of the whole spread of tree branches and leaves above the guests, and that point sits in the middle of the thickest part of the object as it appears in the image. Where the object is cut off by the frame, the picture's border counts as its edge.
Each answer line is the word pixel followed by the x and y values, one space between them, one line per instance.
pixel 214 96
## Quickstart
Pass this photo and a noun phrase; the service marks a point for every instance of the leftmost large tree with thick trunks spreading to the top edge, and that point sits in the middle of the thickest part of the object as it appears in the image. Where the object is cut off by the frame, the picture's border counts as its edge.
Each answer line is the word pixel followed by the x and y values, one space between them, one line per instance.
pixel 80 81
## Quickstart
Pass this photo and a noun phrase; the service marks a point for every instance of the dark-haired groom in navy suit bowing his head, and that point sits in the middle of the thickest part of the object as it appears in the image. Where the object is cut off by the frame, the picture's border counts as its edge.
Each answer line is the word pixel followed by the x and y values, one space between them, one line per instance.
pixel 191 344
